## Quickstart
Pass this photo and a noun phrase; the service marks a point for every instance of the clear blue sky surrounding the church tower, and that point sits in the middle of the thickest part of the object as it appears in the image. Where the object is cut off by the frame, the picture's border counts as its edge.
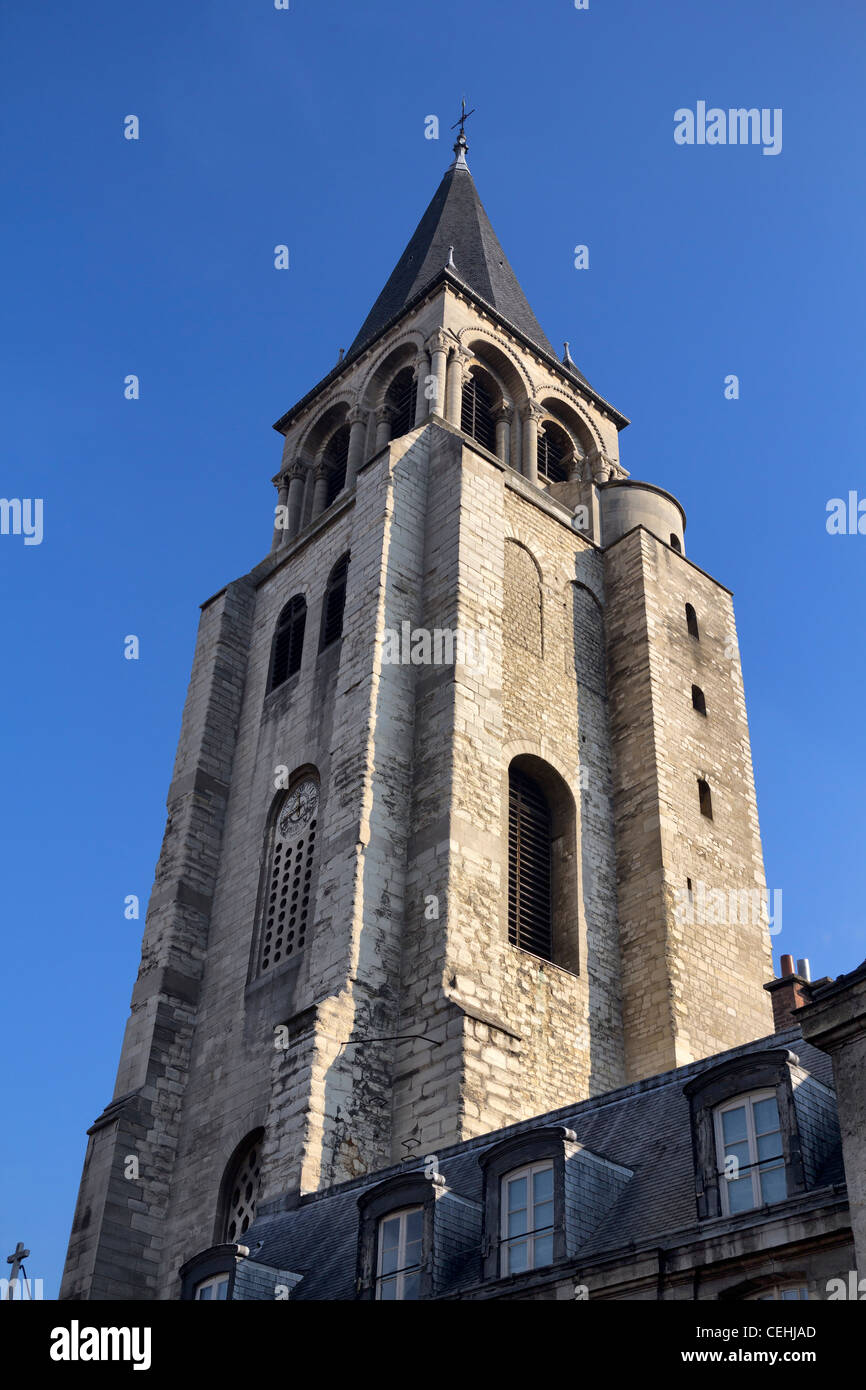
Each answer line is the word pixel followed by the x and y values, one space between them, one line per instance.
pixel 156 258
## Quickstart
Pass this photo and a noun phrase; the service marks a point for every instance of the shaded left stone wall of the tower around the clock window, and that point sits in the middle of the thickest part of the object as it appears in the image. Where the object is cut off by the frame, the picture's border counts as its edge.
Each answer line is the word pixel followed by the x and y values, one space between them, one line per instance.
pixel 326 1099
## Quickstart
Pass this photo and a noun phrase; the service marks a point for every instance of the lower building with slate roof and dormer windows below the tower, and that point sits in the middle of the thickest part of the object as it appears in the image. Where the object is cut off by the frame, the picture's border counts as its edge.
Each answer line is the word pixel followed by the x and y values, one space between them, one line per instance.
pixel 622 1197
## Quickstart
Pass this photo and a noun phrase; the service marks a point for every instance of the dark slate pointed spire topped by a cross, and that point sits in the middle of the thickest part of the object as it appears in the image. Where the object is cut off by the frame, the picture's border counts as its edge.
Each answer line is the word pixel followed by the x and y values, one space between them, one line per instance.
pixel 455 220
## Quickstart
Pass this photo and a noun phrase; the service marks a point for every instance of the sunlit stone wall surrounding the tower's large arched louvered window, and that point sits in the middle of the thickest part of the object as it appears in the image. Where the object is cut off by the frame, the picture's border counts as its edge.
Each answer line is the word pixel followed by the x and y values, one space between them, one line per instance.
pixel 522 1025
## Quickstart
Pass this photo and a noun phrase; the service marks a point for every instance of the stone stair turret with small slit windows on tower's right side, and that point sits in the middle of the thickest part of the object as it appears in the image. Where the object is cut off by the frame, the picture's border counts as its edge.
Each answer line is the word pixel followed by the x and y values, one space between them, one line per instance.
pixel 690 988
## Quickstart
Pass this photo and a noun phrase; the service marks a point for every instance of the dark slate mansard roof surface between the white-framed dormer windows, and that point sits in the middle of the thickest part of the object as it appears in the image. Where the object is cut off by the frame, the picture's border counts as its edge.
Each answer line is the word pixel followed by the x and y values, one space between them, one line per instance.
pixel 644 1128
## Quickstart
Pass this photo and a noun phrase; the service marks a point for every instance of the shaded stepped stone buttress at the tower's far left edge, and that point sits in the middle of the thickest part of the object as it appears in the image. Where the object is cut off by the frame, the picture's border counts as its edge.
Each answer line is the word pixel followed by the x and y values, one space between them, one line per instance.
pixel 120 1228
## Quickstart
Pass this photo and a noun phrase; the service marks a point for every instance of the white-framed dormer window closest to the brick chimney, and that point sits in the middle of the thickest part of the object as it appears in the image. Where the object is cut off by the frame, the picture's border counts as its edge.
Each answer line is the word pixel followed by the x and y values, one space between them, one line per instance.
pixel 750 1154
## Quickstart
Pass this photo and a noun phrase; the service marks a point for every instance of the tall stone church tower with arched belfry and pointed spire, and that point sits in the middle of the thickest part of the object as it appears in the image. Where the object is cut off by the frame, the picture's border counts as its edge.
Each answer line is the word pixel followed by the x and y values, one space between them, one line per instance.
pixel 454 758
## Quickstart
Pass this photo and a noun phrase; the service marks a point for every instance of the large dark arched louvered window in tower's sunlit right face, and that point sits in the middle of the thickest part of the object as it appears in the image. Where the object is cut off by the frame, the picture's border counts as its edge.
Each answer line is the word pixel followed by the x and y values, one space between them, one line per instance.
pixel 530 915
